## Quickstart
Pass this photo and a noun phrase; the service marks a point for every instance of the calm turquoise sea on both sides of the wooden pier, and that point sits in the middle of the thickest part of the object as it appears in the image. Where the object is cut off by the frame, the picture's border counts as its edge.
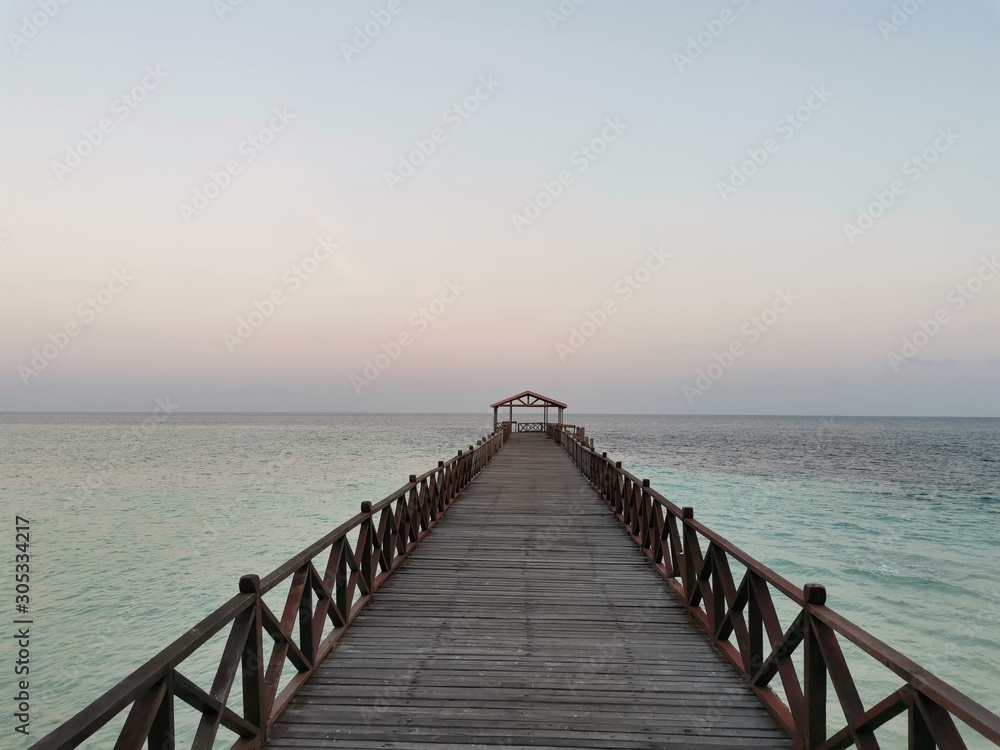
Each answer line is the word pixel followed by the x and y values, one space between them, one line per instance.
pixel 139 532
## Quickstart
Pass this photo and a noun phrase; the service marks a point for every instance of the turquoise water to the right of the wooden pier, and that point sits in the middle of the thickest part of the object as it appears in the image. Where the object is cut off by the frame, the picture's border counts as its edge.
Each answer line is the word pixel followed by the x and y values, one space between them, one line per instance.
pixel 898 518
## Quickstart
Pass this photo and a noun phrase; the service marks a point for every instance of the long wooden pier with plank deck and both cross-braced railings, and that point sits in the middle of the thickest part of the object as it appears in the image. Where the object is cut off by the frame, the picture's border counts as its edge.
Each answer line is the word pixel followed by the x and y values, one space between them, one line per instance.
pixel 529 592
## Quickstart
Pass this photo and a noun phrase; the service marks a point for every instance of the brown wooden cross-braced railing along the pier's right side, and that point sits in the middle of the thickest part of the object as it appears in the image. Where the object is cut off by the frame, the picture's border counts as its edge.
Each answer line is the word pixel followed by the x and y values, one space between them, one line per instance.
pixel 742 620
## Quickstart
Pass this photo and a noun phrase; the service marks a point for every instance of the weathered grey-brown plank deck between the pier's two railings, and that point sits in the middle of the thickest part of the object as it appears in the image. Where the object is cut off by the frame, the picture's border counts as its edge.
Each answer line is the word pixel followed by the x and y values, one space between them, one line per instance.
pixel 527 618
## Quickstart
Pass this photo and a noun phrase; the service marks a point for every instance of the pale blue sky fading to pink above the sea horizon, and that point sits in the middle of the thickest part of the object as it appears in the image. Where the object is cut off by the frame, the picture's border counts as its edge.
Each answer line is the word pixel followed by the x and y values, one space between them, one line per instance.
pixel 725 207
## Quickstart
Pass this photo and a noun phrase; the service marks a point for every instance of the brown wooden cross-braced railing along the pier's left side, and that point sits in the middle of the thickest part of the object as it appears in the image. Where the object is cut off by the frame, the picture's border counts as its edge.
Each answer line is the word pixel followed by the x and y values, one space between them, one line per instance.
pixel 329 584
